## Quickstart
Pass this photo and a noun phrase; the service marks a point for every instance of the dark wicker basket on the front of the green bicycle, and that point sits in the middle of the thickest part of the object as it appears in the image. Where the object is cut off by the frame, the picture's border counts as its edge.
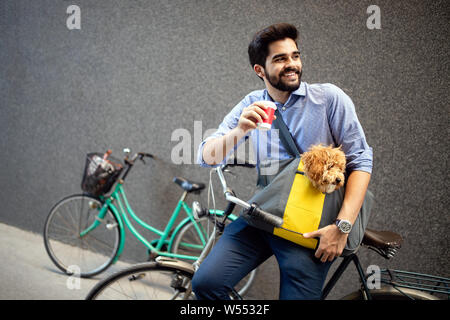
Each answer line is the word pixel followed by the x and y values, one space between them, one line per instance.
pixel 99 174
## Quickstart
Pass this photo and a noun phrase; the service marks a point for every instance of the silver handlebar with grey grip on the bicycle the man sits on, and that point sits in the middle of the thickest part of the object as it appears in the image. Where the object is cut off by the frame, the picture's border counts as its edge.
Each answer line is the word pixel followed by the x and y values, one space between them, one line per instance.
pixel 252 209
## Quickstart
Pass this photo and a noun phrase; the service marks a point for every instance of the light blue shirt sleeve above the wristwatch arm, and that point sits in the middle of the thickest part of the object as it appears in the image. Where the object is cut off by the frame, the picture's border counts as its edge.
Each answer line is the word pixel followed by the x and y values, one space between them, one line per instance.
pixel 348 132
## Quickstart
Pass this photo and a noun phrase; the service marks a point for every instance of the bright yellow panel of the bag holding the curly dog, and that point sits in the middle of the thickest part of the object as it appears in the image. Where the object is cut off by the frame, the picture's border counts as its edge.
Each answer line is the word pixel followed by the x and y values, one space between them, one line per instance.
pixel 303 211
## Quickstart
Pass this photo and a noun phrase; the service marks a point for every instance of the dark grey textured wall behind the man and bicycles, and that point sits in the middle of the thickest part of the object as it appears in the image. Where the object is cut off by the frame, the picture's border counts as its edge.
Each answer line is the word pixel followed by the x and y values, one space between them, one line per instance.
pixel 138 70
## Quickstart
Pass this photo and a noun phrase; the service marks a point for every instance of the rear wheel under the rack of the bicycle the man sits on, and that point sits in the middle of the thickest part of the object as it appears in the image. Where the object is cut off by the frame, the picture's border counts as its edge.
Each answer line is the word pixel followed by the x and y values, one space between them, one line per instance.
pixel 391 293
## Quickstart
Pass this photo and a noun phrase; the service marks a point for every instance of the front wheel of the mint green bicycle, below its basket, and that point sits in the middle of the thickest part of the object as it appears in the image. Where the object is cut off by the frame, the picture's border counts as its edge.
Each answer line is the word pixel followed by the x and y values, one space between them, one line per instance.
pixel 72 253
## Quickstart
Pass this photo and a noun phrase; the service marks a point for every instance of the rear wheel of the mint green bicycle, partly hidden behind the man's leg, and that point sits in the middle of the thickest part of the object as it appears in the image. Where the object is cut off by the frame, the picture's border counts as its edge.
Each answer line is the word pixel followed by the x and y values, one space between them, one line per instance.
pixel 188 234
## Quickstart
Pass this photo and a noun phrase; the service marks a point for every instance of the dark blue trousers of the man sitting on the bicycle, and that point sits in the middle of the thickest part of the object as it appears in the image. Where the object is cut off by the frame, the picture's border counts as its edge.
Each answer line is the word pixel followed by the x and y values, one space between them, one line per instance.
pixel 242 248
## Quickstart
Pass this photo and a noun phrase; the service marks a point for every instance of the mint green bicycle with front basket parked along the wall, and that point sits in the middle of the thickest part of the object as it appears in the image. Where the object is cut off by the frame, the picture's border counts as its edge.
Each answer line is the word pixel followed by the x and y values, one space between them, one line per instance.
pixel 88 231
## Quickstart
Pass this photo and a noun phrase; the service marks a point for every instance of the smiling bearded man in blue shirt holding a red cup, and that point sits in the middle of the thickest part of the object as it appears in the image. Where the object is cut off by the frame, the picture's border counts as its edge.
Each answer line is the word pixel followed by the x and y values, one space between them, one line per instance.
pixel 314 113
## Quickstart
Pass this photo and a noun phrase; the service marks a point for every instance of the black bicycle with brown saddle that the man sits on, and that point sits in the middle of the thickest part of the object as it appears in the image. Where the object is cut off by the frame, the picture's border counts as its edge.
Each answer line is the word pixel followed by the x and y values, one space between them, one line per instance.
pixel 167 278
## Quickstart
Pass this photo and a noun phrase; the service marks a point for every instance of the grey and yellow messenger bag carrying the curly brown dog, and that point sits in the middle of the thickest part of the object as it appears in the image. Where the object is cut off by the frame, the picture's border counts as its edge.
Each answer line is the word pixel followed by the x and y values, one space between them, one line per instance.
pixel 289 194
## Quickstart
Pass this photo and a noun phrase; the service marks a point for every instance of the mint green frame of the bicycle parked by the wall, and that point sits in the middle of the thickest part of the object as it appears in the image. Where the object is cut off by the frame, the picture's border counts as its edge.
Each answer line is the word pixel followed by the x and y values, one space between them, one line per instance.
pixel 118 203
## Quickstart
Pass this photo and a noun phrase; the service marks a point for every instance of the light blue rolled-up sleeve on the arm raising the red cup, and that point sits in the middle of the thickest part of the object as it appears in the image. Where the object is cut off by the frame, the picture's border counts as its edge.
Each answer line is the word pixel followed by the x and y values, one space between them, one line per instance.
pixel 229 122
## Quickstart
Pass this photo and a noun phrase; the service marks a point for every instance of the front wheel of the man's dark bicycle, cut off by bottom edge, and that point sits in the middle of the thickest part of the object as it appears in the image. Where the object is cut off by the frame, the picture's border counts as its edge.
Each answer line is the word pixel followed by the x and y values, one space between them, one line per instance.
pixel 146 281
